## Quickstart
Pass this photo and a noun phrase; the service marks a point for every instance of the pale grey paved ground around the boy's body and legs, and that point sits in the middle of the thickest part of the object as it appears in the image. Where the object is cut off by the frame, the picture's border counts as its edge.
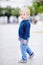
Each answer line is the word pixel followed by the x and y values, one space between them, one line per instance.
pixel 9 45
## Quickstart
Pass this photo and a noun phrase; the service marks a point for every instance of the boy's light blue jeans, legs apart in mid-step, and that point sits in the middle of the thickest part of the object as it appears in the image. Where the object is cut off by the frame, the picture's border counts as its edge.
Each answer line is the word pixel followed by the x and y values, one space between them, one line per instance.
pixel 25 48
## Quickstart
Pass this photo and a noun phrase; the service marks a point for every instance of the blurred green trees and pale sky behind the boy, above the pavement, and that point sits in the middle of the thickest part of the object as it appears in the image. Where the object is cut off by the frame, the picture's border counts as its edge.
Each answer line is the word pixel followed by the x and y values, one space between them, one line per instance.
pixel 9 10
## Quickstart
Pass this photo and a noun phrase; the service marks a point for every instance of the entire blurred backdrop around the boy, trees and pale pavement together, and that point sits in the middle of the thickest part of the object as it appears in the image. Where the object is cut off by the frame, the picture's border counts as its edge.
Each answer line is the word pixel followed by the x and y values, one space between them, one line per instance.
pixel 9 24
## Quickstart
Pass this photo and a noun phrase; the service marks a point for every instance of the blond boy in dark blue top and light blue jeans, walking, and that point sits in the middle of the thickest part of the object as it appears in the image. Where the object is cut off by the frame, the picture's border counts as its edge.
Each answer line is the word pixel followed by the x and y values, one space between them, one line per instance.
pixel 24 34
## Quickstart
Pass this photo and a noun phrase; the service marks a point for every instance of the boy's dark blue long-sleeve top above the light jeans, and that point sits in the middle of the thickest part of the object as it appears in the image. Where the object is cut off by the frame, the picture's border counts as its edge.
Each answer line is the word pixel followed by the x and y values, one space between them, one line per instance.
pixel 24 29
